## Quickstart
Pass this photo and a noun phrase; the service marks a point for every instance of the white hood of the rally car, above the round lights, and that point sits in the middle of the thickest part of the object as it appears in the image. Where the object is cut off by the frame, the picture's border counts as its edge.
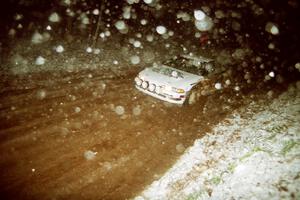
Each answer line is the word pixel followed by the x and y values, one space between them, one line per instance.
pixel 186 80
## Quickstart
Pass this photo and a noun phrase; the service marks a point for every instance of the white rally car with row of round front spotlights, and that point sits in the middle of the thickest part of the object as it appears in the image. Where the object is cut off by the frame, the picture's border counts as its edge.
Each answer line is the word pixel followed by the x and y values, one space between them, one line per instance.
pixel 173 80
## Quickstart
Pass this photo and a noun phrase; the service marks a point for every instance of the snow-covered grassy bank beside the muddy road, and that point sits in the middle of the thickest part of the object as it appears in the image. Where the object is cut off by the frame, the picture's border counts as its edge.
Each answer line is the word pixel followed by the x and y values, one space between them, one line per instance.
pixel 254 154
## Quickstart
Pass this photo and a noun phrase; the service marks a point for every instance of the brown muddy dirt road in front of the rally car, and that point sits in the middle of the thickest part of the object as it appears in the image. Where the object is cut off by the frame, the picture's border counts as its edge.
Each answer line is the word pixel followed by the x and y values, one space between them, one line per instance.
pixel 66 135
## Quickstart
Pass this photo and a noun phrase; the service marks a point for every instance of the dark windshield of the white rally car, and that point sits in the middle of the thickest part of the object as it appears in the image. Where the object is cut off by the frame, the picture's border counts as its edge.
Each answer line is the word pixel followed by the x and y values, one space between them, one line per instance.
pixel 193 66
